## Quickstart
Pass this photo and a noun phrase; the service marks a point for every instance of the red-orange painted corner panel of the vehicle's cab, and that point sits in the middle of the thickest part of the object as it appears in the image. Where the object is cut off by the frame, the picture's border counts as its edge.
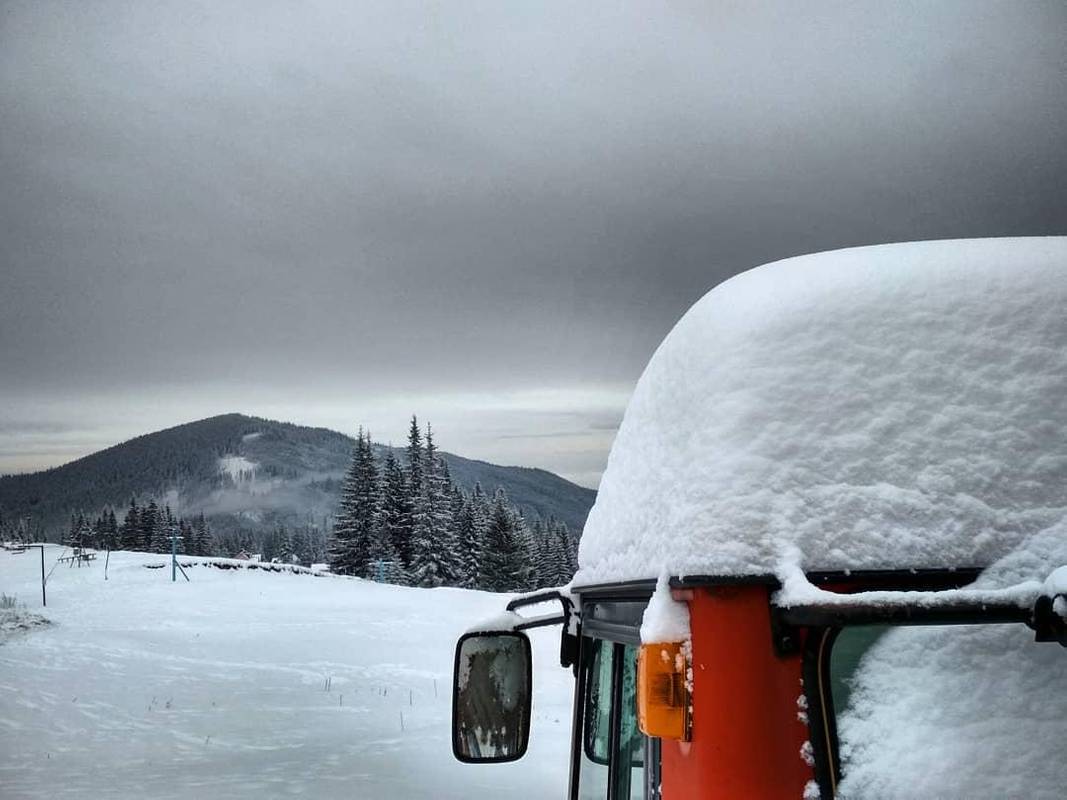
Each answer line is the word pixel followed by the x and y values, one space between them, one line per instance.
pixel 746 734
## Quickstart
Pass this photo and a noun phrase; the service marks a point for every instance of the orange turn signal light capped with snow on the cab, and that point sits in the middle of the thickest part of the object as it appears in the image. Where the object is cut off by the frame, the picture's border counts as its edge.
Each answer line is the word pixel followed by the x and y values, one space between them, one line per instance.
pixel 663 694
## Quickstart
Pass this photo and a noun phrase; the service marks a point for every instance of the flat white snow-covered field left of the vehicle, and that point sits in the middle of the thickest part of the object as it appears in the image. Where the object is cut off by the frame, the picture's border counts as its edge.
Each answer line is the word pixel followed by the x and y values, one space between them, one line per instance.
pixel 218 689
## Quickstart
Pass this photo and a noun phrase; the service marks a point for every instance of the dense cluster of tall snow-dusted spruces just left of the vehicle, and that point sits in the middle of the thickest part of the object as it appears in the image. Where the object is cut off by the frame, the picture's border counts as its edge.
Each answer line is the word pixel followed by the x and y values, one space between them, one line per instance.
pixel 408 523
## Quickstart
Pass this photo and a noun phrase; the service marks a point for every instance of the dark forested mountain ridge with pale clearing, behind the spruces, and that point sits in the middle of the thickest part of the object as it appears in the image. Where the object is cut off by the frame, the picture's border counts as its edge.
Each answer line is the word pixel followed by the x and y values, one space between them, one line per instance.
pixel 249 473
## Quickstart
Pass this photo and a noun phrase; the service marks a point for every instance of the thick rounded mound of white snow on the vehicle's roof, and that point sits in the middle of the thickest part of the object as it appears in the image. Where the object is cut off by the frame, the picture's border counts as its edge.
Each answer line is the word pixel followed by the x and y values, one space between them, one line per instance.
pixel 891 407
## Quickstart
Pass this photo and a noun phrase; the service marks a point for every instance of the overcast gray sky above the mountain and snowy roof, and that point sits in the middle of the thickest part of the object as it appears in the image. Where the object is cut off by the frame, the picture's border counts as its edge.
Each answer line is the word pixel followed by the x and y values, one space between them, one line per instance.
pixel 487 214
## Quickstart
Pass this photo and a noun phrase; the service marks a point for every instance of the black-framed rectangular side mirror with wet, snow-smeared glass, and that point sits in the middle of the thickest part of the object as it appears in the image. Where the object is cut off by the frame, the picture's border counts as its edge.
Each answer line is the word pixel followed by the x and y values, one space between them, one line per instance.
pixel 491 697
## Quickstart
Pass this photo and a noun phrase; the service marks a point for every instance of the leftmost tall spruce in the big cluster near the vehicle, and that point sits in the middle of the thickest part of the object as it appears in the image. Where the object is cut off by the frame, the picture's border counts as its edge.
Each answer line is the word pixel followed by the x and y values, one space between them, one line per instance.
pixel 358 520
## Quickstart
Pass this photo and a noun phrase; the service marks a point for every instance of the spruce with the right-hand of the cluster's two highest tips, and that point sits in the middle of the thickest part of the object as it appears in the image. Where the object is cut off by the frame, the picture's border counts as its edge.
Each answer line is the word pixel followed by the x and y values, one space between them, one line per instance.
pixel 435 548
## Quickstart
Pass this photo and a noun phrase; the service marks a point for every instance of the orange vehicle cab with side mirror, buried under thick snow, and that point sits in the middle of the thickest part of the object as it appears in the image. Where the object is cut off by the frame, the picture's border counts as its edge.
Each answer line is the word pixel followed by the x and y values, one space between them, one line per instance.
pixel 827 555
